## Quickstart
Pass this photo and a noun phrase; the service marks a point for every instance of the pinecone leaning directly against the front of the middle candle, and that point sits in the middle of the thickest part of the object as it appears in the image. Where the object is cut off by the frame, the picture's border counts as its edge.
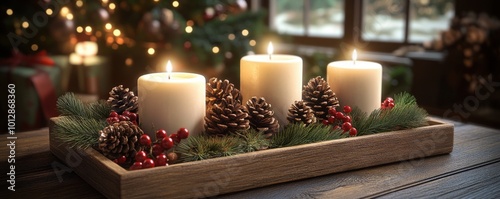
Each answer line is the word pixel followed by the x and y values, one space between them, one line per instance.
pixel 261 116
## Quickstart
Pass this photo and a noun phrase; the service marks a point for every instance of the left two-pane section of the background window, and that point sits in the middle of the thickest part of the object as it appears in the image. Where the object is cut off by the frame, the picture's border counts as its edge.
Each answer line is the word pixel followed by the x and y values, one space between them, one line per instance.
pixel 315 18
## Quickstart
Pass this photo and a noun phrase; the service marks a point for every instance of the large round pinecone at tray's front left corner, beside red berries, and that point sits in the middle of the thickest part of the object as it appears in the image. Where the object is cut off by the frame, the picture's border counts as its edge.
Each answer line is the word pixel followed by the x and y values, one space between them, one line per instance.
pixel 119 139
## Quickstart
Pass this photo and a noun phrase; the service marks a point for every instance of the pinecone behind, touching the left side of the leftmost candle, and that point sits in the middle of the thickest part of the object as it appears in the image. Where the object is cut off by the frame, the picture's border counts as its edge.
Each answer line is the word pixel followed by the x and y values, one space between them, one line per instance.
pixel 122 99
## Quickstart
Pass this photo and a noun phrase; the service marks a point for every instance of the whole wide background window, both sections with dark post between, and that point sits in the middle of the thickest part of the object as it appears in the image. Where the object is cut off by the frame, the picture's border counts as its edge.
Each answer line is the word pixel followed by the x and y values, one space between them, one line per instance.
pixel 386 24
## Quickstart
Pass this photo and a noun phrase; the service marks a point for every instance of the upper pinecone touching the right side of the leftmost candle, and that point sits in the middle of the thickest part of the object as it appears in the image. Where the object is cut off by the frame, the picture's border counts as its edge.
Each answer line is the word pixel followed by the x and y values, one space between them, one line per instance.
pixel 218 90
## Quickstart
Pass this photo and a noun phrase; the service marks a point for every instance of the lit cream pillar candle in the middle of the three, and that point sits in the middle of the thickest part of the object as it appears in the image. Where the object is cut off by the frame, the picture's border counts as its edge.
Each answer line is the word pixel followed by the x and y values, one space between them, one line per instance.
pixel 277 78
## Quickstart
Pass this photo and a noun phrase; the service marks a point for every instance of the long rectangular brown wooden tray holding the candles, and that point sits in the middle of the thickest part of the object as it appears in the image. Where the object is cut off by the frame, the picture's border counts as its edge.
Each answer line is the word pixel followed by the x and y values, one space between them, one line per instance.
pixel 257 169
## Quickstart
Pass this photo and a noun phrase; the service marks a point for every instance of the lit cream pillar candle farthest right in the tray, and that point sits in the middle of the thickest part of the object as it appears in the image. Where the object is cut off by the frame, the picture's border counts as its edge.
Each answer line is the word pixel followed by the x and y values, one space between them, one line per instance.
pixel 356 83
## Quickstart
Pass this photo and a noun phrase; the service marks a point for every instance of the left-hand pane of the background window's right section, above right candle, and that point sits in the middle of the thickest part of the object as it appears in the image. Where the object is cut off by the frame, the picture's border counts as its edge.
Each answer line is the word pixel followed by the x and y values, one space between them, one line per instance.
pixel 383 20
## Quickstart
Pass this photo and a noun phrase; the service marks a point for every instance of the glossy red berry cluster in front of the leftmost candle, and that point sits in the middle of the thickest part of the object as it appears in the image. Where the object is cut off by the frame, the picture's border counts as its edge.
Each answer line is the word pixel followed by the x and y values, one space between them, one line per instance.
pixel 158 152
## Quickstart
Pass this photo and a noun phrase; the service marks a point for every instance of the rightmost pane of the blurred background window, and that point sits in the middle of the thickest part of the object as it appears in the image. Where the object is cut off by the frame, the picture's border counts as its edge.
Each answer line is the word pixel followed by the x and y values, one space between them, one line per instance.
pixel 434 15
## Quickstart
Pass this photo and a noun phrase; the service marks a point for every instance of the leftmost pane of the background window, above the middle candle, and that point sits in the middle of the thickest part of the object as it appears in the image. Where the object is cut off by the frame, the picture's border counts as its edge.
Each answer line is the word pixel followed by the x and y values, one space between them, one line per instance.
pixel 288 16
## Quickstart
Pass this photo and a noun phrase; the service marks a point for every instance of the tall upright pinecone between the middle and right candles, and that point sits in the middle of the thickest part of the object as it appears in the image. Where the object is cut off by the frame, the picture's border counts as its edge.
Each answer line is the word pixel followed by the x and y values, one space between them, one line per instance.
pixel 318 95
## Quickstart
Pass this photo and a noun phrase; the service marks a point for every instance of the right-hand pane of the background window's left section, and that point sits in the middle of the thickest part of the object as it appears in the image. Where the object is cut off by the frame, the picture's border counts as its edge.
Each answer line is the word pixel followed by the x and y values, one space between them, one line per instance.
pixel 326 18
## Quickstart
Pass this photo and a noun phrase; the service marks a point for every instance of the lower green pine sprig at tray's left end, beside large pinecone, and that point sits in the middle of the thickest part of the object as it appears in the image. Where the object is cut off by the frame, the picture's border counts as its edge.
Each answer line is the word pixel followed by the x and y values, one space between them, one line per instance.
pixel 77 131
